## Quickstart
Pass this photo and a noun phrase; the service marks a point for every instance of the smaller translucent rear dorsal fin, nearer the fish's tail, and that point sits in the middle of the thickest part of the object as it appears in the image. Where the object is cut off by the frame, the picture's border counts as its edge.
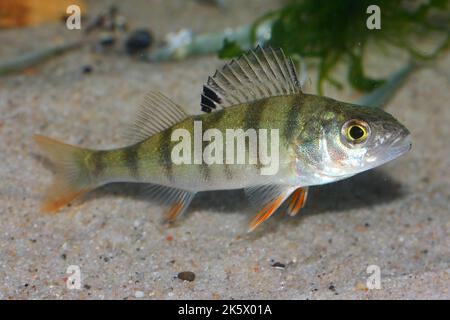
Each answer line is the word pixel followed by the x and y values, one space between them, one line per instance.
pixel 156 113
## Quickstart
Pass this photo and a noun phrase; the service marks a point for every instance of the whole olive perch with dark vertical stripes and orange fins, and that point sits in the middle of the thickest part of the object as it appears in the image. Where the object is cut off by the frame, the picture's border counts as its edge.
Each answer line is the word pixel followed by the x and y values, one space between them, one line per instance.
pixel 258 131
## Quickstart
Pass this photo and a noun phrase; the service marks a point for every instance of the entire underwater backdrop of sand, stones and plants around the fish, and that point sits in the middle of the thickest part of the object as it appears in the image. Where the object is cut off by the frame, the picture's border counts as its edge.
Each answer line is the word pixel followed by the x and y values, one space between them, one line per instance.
pixel 84 86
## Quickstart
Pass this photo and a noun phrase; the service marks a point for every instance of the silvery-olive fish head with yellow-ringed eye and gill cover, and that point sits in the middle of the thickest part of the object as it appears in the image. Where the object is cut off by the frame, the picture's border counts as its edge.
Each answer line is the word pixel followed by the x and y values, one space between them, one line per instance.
pixel 344 139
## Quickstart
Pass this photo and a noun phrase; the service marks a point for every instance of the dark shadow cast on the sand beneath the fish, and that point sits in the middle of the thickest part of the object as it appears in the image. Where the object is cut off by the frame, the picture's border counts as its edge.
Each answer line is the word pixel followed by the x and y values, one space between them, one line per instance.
pixel 364 190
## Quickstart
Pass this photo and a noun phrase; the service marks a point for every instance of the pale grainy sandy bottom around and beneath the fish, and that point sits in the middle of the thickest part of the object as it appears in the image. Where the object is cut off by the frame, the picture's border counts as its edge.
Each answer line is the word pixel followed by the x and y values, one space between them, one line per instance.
pixel 395 217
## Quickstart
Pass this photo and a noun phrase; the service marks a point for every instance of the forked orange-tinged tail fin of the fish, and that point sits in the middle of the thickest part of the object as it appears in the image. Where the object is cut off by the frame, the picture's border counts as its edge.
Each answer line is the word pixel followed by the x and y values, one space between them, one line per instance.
pixel 72 177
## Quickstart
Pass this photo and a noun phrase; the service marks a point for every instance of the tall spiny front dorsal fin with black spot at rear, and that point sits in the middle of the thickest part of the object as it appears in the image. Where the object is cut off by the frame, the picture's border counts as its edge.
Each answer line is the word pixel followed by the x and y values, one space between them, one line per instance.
pixel 260 73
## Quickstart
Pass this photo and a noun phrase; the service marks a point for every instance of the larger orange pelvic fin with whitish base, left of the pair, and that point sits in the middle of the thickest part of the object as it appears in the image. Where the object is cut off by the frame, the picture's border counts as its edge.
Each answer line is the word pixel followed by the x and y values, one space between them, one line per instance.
pixel 269 198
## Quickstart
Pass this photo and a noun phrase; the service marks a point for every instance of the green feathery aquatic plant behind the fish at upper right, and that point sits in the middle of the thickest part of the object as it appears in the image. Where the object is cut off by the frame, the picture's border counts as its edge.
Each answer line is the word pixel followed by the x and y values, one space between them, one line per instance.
pixel 336 31
